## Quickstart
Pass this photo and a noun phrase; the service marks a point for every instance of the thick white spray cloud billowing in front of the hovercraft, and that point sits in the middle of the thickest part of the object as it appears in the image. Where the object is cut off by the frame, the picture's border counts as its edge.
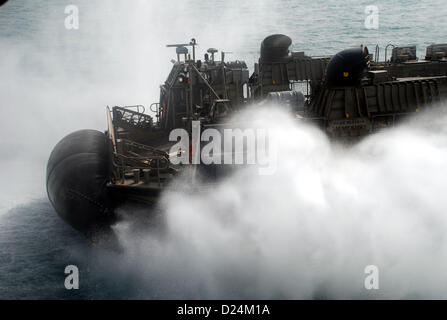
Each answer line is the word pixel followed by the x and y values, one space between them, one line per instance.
pixel 309 230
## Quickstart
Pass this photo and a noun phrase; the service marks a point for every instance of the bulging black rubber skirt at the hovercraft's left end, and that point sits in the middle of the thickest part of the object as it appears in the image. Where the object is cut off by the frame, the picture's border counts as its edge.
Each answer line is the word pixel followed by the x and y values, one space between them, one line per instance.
pixel 77 173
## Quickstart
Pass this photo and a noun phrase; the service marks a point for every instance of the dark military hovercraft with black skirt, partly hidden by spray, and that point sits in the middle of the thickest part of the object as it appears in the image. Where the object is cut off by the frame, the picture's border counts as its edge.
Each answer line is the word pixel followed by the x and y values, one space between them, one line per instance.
pixel 349 95
